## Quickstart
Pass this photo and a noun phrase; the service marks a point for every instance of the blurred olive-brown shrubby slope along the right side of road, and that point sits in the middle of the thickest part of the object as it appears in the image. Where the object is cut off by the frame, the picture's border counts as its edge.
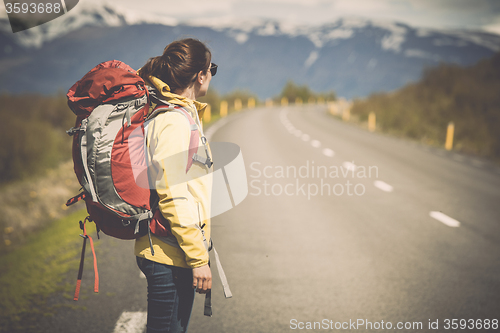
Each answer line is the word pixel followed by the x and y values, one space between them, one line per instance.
pixel 468 97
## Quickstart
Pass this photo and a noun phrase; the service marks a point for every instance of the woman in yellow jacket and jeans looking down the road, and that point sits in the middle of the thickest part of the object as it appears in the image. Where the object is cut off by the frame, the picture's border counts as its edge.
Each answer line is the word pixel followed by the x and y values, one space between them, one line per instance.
pixel 175 271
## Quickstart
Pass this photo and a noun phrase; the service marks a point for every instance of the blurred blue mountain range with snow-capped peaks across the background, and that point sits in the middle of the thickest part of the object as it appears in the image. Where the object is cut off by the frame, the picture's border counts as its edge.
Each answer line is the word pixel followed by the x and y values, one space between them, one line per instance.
pixel 352 56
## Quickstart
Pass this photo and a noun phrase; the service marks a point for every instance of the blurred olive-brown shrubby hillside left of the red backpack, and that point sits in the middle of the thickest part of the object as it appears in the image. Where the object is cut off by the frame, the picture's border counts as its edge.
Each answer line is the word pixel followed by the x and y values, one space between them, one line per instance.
pixel 32 134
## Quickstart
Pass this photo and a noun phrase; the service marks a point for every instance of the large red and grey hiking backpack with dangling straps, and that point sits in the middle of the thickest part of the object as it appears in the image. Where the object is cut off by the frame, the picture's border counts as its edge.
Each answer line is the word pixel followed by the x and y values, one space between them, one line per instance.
pixel 112 103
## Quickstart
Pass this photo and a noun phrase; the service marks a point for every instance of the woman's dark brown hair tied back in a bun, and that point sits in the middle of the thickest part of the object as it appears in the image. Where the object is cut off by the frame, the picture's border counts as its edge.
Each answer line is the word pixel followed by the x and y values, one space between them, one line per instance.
pixel 181 61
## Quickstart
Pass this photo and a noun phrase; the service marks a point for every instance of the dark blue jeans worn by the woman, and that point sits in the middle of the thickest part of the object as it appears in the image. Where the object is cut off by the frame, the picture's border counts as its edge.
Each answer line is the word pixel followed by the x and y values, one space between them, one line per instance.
pixel 170 296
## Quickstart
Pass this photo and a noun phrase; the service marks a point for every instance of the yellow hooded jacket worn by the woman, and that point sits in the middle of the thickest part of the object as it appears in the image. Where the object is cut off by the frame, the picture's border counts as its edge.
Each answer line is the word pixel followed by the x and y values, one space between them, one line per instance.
pixel 184 199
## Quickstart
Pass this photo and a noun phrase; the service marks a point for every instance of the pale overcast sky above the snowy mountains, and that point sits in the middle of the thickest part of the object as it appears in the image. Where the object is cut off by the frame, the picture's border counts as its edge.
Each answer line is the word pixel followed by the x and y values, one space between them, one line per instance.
pixel 462 14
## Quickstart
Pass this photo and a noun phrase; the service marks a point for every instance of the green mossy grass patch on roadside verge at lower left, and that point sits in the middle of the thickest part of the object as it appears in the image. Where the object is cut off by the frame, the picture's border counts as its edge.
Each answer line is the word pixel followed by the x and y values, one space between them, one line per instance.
pixel 34 271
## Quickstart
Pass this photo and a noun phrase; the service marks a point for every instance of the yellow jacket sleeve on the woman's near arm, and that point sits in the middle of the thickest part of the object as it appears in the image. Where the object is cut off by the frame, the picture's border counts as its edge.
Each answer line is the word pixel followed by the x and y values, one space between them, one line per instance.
pixel 169 148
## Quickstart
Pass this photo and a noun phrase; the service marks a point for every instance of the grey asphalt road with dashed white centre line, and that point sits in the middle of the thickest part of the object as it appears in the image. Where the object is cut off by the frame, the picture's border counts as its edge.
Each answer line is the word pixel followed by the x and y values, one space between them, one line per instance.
pixel 349 229
